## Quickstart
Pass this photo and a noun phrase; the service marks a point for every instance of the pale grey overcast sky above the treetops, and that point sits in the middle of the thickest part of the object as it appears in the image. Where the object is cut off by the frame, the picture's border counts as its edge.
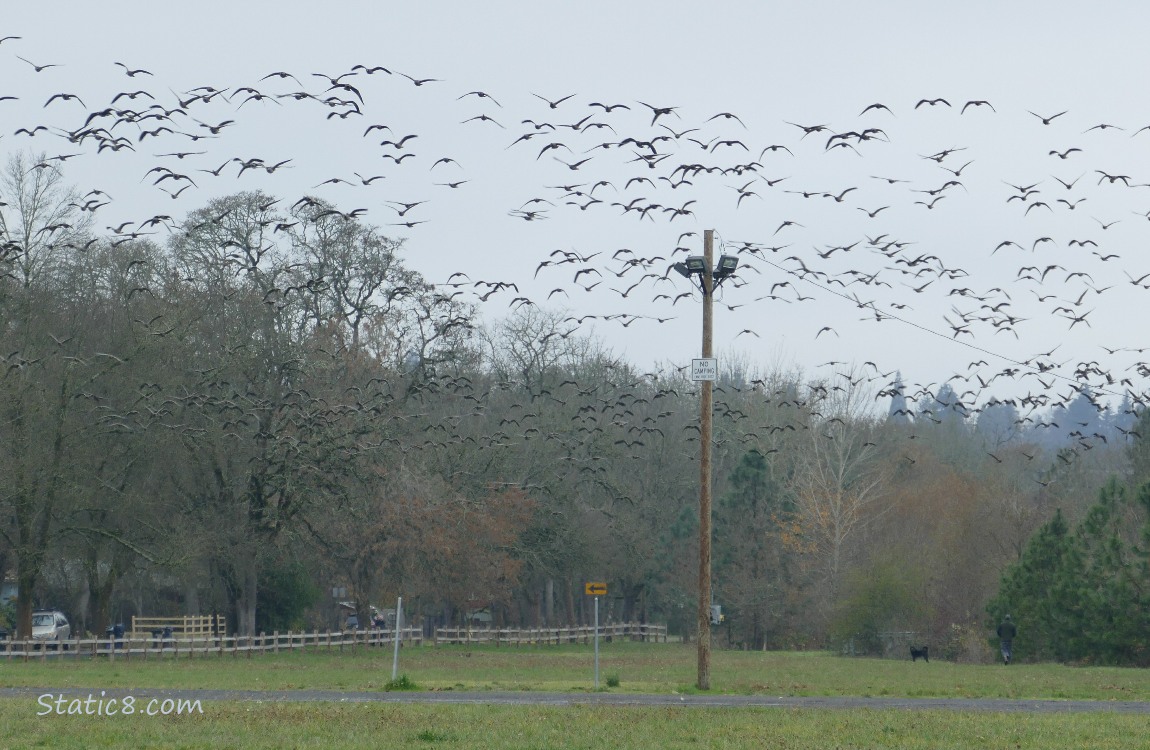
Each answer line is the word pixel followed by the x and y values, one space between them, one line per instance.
pixel 775 66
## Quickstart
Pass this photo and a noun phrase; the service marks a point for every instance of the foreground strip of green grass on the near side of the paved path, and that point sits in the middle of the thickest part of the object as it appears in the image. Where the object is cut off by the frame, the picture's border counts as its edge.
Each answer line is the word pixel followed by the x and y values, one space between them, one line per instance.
pixel 381 726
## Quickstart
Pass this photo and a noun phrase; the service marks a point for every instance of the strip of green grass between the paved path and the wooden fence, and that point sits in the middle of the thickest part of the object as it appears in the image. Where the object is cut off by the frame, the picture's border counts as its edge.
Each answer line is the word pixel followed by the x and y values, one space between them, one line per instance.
pixel 641 668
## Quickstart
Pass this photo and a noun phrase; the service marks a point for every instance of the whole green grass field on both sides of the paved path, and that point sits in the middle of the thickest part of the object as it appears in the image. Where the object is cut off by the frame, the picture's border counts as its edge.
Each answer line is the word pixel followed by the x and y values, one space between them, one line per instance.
pixel 640 669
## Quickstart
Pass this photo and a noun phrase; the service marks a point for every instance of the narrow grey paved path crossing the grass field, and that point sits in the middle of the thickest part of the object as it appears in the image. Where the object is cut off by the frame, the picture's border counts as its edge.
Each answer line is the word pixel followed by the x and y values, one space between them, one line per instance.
pixel 601 699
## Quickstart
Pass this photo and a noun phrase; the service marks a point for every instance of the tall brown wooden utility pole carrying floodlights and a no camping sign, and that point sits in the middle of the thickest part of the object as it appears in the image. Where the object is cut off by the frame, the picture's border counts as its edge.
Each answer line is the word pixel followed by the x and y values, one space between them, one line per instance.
pixel 706 409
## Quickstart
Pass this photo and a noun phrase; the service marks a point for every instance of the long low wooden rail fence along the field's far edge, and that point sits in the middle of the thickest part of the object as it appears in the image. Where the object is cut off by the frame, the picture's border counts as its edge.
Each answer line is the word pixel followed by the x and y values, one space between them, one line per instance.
pixel 136 646
